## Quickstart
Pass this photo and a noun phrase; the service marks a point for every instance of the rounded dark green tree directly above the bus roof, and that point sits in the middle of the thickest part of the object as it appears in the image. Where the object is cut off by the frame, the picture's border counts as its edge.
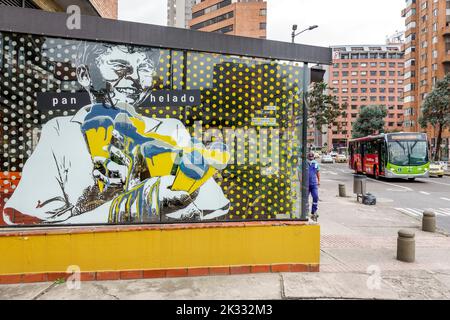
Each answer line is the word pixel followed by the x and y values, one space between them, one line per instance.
pixel 370 121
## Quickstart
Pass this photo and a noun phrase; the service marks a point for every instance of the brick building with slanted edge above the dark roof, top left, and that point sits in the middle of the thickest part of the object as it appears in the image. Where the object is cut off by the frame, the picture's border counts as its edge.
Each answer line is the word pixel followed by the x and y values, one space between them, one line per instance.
pixel 101 8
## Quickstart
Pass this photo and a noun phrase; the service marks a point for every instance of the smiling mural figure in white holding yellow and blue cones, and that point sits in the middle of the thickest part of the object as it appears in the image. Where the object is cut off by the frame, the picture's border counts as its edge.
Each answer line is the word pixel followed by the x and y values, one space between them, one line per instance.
pixel 109 164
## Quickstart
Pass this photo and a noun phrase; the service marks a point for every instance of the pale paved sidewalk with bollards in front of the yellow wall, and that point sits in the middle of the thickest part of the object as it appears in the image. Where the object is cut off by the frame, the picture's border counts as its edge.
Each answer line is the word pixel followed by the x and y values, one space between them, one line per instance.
pixel 358 261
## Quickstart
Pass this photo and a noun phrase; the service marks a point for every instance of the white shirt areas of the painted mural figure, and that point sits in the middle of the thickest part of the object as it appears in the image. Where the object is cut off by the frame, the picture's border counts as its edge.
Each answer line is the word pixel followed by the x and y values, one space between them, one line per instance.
pixel 62 158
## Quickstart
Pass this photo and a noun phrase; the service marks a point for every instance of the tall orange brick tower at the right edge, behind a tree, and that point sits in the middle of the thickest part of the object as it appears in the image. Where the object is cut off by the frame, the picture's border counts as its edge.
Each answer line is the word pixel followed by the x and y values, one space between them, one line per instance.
pixel 427 55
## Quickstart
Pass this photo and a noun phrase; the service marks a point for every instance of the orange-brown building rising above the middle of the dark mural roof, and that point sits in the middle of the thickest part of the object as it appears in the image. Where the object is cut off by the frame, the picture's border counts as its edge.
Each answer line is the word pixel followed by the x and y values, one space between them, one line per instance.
pixel 236 17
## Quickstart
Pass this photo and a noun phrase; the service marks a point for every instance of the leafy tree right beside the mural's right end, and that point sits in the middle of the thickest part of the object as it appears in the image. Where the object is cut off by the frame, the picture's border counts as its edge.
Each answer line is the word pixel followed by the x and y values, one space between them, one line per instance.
pixel 323 107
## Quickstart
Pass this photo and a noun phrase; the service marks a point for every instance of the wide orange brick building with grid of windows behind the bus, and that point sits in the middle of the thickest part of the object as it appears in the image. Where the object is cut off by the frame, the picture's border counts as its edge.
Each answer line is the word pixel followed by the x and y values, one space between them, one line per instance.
pixel 362 76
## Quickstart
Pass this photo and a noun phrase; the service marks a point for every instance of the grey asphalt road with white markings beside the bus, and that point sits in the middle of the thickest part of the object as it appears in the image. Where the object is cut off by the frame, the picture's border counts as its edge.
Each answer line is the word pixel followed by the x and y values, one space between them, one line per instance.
pixel 408 197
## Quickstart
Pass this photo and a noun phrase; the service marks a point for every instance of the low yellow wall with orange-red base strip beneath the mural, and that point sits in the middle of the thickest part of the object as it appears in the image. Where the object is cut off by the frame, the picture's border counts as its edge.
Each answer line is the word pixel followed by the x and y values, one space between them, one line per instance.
pixel 159 251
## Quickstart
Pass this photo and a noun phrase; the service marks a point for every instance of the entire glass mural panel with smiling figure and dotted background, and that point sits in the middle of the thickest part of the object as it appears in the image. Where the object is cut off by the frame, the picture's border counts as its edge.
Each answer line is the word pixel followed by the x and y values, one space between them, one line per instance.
pixel 160 136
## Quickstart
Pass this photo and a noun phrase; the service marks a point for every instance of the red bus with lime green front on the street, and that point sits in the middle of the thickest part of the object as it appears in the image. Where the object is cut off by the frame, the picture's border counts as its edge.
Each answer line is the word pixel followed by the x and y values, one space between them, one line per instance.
pixel 391 155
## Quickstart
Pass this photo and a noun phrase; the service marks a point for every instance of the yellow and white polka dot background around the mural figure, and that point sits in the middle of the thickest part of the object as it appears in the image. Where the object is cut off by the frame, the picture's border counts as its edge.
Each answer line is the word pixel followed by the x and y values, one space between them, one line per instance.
pixel 235 93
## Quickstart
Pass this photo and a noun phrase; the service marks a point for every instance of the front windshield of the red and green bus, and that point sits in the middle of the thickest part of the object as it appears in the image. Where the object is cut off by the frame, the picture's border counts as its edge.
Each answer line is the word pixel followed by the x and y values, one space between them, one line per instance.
pixel 408 153
